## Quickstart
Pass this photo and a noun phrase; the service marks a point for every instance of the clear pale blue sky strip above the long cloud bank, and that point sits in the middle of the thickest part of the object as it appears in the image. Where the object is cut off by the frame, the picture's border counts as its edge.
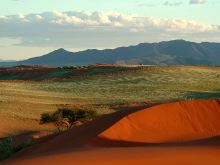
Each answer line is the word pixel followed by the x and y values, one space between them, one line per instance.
pixel 206 13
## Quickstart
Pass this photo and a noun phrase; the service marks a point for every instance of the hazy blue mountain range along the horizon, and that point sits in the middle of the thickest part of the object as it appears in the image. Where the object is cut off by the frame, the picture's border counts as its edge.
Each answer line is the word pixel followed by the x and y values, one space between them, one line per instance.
pixel 175 52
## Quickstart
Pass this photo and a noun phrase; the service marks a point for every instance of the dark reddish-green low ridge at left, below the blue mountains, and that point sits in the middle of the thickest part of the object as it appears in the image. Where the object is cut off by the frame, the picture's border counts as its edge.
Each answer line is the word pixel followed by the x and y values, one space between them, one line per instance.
pixel 61 73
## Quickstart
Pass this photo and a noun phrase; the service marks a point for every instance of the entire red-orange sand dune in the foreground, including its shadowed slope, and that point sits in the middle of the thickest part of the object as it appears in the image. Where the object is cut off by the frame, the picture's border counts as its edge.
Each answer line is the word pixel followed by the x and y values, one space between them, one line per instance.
pixel 138 130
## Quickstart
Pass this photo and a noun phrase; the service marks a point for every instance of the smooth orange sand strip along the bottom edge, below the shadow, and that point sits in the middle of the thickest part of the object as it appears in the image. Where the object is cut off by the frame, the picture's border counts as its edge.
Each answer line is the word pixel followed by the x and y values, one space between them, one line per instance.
pixel 130 156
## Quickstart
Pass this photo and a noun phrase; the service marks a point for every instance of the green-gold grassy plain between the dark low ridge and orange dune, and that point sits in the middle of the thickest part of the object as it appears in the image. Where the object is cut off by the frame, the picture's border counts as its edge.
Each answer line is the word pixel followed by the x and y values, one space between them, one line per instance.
pixel 26 101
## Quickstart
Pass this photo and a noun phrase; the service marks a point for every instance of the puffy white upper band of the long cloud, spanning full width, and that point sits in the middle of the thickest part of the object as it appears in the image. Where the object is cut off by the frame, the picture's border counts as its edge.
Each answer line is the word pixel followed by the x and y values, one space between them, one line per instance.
pixel 111 21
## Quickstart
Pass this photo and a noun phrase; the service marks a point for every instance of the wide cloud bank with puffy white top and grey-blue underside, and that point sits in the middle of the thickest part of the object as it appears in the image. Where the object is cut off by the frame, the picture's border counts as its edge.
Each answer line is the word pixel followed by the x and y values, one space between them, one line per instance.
pixel 84 29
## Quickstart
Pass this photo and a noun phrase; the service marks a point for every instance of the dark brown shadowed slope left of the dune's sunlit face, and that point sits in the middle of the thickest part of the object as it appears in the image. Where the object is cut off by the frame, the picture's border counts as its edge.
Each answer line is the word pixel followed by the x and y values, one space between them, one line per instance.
pixel 75 138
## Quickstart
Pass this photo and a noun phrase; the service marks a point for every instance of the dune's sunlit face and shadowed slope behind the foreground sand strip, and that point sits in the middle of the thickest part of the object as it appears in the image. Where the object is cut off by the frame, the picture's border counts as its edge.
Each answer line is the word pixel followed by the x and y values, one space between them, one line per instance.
pixel 167 125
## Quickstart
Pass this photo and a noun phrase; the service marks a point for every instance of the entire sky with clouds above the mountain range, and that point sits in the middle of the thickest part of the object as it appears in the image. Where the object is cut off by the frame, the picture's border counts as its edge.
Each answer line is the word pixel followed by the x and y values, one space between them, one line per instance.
pixel 31 28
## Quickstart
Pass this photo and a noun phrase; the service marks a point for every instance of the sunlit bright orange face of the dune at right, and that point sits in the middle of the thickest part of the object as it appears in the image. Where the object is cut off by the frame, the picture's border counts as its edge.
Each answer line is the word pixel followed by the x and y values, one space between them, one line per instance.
pixel 167 123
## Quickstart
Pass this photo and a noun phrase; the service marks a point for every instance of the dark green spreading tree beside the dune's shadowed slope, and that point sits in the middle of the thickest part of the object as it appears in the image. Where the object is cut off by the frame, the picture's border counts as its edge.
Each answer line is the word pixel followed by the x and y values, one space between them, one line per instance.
pixel 65 119
